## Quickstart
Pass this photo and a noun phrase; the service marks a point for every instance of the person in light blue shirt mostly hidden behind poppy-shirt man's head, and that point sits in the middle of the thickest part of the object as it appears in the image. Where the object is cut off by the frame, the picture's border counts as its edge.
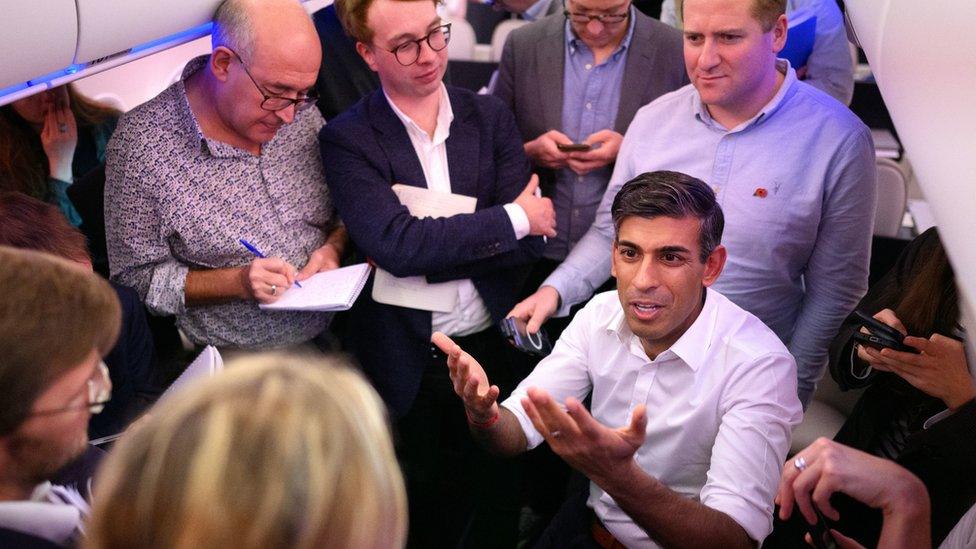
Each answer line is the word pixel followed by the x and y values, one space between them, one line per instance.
pixel 830 66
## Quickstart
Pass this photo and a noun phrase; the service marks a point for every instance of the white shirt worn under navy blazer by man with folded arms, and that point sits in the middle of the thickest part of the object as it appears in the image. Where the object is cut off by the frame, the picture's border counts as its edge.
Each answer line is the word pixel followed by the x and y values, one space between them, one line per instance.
pixel 470 315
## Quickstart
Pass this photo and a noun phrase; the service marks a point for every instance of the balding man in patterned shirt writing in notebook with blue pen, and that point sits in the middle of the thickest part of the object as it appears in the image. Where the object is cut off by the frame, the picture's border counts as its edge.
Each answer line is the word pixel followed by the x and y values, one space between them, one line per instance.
pixel 228 152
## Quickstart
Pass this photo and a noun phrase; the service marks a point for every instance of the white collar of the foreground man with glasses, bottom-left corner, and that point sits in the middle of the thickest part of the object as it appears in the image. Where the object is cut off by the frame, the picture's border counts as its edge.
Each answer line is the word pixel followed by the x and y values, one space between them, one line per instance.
pixel 57 523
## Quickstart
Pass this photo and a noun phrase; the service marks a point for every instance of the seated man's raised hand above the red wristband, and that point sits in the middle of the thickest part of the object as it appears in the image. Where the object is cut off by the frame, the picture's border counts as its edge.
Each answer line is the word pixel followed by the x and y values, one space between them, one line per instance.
pixel 469 380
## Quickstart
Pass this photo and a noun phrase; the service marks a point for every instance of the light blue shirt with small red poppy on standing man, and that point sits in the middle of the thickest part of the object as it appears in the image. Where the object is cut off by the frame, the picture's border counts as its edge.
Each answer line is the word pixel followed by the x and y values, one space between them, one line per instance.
pixel 797 184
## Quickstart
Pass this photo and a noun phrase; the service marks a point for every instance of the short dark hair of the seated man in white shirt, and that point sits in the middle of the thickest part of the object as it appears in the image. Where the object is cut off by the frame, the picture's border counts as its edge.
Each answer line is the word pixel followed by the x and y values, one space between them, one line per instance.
pixel 671 194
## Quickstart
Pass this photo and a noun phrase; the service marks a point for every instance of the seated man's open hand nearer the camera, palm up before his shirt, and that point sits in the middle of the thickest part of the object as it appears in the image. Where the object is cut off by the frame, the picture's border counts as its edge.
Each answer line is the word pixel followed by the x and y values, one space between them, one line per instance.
pixel 597 451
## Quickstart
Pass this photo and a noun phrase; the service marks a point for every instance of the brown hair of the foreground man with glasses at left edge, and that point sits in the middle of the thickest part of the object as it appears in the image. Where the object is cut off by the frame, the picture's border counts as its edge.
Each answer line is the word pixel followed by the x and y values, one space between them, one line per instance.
pixel 53 314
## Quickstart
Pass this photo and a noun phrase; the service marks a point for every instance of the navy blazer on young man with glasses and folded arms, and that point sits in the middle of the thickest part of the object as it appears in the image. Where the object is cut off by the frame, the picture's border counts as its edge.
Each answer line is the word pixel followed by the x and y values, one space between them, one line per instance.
pixel 365 151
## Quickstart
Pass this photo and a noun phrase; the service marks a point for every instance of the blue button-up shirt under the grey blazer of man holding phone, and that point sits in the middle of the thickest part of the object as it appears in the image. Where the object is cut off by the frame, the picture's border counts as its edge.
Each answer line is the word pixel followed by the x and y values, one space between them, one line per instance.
pixel 591 95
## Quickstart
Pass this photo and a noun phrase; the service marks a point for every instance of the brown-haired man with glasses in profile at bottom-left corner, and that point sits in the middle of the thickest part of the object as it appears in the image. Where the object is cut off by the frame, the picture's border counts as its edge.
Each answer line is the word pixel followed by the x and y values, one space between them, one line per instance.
pixel 57 322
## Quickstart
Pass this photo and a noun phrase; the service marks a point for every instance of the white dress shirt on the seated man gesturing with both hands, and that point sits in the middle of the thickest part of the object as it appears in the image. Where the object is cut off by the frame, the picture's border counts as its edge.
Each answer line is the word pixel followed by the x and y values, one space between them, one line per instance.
pixel 720 404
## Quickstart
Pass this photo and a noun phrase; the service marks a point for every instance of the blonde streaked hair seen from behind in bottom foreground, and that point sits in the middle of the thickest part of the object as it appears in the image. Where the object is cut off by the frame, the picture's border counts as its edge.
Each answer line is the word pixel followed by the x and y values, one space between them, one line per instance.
pixel 277 451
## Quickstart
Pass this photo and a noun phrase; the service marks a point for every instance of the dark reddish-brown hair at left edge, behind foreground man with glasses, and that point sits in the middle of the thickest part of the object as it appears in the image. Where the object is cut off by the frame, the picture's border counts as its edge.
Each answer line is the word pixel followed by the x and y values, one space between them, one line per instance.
pixel 28 223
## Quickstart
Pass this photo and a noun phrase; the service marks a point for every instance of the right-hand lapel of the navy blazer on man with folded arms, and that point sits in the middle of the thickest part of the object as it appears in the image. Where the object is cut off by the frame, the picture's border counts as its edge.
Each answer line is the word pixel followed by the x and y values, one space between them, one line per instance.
pixel 463 146
